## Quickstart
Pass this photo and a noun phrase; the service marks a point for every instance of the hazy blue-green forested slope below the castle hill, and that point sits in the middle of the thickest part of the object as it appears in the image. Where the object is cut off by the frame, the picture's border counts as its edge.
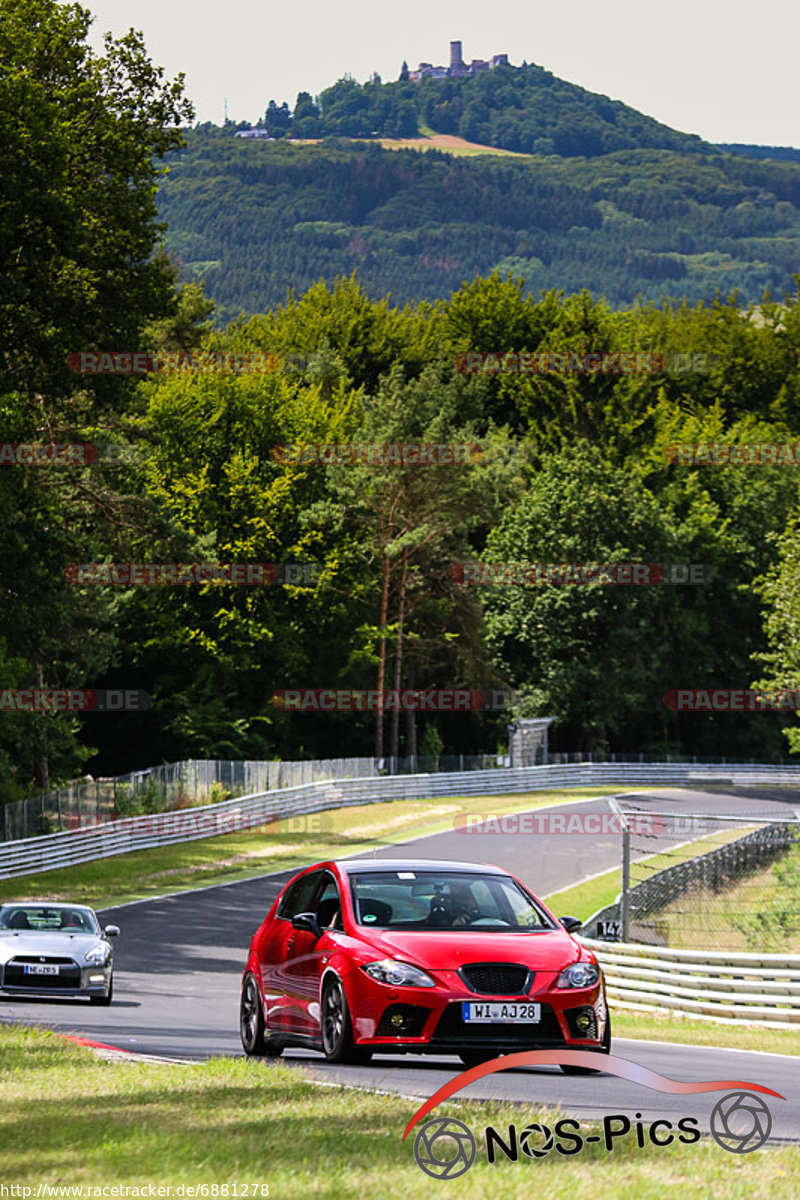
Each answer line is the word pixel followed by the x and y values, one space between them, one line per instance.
pixel 256 219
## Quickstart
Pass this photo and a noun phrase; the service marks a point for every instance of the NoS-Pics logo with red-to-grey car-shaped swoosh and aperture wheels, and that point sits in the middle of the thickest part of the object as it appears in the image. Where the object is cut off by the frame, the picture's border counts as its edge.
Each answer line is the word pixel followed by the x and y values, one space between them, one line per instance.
pixel 447 1149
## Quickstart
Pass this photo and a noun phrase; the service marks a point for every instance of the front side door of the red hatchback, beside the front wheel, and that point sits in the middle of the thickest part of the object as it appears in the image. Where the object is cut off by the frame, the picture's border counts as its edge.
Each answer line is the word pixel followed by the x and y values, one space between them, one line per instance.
pixel 308 956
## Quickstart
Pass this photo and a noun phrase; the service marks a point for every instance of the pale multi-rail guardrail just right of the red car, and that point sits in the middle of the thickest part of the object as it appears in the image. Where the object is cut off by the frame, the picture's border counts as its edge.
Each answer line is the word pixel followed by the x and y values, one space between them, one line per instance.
pixel 727 987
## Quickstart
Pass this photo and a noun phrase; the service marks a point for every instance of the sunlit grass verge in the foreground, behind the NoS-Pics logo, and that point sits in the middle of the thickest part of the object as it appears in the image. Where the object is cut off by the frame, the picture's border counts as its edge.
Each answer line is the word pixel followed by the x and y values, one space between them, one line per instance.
pixel 74 1120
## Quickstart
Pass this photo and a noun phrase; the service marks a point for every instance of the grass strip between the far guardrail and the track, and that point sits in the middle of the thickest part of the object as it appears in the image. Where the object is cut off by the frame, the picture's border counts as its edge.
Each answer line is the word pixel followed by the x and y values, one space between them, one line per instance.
pixel 282 845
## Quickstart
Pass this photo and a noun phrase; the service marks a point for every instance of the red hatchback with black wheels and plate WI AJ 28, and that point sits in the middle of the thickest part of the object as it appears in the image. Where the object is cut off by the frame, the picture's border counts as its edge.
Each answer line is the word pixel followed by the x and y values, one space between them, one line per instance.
pixel 372 956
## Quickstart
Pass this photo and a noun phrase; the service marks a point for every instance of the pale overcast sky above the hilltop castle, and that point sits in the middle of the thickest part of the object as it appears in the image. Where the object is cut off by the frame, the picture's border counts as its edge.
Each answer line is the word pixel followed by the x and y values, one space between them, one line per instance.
pixel 726 70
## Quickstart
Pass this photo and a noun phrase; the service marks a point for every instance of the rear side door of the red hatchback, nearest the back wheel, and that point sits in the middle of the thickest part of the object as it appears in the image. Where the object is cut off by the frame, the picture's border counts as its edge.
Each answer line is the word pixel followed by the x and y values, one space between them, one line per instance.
pixel 279 952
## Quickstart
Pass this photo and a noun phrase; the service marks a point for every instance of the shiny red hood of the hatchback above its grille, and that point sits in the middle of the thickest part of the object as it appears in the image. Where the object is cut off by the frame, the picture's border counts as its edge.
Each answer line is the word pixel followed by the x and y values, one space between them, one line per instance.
pixel 449 951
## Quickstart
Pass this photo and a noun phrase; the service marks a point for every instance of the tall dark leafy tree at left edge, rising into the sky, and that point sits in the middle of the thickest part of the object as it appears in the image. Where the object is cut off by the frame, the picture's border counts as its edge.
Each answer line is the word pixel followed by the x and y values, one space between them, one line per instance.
pixel 81 135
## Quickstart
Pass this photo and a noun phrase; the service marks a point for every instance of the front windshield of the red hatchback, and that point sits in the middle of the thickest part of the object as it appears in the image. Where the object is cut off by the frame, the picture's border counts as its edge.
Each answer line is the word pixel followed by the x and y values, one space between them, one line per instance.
pixel 425 901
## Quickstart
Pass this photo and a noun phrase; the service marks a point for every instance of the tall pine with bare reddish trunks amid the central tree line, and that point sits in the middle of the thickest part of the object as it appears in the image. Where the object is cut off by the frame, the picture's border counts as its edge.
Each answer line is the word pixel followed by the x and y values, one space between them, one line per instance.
pixel 410 523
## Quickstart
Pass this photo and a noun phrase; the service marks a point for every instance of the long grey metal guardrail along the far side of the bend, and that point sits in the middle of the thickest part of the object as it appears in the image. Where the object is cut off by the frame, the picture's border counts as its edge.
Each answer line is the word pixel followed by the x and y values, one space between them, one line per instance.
pixel 51 851
